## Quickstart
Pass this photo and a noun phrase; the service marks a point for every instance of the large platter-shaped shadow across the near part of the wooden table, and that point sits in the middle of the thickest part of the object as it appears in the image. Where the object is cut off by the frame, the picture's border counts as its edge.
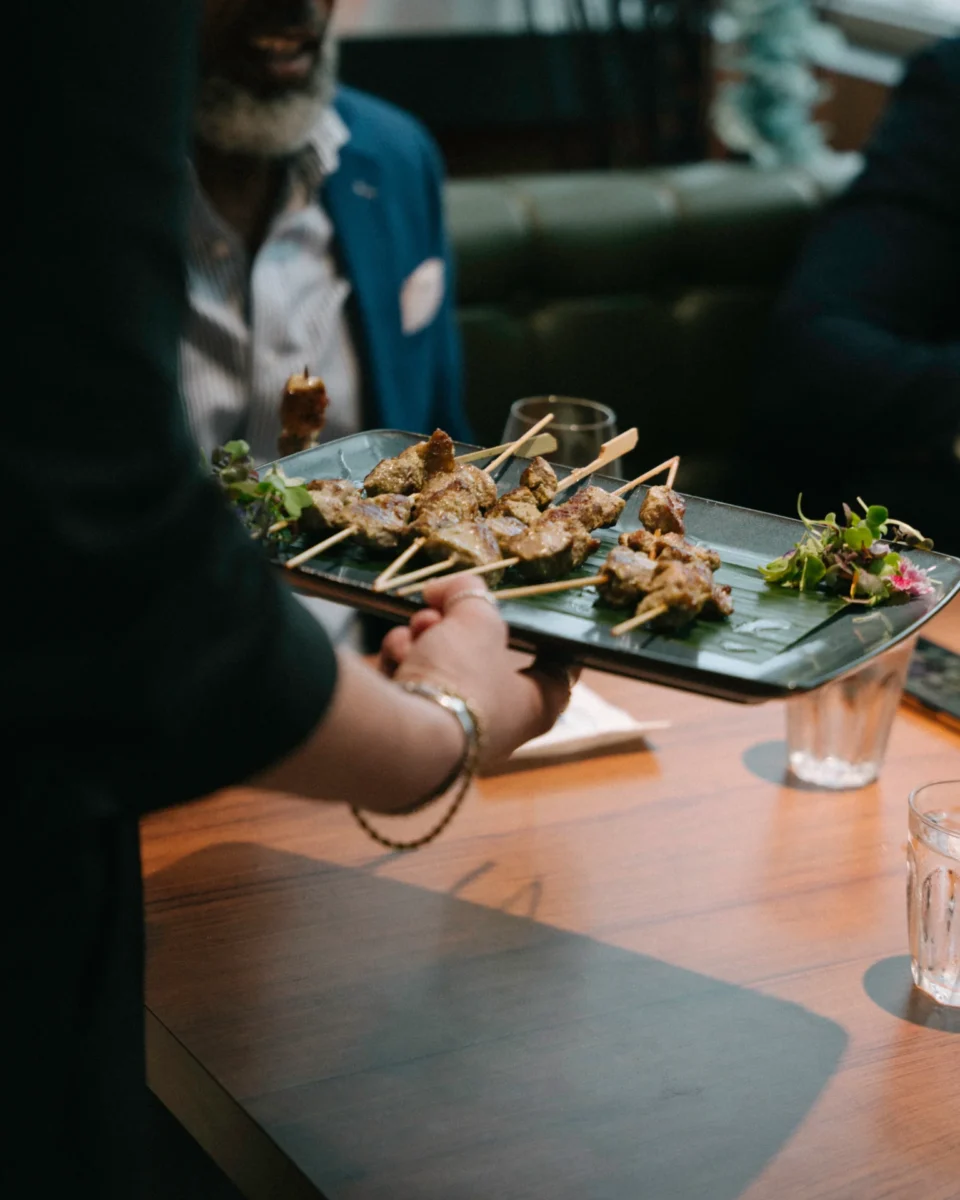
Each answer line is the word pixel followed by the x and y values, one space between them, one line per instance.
pixel 406 1045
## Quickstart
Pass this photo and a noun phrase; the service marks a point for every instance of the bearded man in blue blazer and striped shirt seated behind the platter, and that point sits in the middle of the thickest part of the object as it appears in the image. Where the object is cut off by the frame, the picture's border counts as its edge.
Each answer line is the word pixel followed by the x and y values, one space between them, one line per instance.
pixel 316 239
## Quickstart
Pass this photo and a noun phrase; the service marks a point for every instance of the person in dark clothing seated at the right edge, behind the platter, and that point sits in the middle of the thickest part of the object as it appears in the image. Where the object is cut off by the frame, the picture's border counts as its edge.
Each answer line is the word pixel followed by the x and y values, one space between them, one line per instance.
pixel 860 392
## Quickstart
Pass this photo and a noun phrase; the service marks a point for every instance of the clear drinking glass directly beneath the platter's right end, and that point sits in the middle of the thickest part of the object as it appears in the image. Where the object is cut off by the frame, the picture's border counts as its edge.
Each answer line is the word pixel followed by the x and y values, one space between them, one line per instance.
pixel 837 736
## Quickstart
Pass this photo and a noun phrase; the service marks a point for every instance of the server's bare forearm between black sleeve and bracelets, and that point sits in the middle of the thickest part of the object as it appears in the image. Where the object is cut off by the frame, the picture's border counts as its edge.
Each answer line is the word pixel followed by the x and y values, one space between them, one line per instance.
pixel 379 747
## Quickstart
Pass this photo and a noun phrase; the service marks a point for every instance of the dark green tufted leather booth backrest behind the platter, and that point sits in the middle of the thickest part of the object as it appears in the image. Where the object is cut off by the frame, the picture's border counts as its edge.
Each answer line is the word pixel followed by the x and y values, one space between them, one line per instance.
pixel 647 291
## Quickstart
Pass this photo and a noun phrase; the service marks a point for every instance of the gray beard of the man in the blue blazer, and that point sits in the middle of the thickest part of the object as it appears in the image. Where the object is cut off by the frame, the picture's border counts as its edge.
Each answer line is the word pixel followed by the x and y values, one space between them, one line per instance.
pixel 232 119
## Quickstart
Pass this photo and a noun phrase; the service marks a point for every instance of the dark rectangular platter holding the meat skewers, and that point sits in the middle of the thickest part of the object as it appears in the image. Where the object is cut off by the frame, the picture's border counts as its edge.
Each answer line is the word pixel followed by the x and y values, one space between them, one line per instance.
pixel 778 643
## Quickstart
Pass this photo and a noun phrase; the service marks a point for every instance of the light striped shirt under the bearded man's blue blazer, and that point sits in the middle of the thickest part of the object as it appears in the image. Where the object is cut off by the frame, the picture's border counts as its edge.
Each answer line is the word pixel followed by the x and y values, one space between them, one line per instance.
pixel 251 325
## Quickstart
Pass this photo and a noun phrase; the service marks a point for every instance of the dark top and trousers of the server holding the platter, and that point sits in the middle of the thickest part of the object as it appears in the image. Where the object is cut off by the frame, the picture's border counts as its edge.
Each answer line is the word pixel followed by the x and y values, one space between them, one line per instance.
pixel 149 655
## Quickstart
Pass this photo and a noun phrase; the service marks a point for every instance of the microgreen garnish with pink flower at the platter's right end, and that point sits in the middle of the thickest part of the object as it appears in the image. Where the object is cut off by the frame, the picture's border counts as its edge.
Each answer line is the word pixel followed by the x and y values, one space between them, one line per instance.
pixel 854 556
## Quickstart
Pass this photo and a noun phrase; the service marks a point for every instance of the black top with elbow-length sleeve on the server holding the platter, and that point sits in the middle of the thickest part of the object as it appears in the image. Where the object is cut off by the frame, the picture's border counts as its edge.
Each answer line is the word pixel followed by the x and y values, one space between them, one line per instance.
pixel 149 655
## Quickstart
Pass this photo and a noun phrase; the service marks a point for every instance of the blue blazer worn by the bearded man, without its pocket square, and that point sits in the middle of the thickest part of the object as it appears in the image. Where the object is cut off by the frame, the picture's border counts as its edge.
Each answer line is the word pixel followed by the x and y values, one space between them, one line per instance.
pixel 386 202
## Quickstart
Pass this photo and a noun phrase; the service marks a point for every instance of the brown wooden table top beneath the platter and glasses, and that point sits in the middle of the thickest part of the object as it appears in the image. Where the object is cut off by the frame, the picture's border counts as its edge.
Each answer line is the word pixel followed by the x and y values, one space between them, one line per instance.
pixel 652 976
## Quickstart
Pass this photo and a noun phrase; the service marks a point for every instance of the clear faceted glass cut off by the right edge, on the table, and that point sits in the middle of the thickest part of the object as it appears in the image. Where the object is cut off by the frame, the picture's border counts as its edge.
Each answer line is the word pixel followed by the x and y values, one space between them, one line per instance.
pixel 934 891
